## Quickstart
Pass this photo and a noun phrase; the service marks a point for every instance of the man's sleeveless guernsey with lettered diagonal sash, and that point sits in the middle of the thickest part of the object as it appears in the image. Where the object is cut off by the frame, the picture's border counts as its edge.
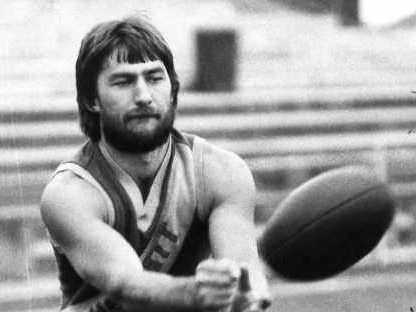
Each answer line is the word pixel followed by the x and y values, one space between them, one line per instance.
pixel 177 237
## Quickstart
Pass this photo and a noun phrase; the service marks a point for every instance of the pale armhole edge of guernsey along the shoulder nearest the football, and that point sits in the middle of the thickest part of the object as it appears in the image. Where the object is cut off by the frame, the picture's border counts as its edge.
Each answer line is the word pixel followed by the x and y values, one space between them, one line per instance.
pixel 203 209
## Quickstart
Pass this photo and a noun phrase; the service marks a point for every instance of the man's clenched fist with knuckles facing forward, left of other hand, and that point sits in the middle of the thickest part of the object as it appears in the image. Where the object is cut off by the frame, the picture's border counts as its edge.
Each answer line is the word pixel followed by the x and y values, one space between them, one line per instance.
pixel 216 284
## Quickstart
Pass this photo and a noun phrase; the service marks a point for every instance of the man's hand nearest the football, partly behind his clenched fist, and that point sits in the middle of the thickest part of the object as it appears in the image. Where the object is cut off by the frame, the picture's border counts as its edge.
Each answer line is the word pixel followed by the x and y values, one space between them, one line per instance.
pixel 253 293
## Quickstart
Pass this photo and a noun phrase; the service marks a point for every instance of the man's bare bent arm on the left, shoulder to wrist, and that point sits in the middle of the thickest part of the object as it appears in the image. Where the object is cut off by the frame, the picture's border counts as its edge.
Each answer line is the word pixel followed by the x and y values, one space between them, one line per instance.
pixel 73 213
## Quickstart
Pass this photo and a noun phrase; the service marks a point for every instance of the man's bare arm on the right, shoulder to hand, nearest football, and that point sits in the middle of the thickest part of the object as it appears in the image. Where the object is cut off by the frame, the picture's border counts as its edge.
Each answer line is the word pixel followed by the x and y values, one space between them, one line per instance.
pixel 231 189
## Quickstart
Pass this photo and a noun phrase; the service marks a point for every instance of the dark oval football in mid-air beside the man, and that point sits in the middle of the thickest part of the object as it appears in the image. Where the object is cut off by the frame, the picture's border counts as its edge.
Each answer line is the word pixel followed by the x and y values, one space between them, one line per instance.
pixel 327 224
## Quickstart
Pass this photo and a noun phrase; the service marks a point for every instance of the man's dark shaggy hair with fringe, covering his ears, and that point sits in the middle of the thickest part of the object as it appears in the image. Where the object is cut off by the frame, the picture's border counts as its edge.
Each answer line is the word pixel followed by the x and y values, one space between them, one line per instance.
pixel 132 39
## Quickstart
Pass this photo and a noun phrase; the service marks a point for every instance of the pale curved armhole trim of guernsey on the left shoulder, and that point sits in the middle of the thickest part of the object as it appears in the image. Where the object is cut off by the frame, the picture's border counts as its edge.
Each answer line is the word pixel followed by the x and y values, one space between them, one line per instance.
pixel 85 175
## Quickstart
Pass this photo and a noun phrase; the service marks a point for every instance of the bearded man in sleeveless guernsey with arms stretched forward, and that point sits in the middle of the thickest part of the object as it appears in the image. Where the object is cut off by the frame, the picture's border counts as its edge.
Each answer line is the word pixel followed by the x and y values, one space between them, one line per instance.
pixel 144 217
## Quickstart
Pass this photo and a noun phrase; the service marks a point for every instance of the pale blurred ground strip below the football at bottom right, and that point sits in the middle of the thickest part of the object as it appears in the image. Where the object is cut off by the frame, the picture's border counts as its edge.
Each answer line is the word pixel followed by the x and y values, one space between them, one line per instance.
pixel 377 293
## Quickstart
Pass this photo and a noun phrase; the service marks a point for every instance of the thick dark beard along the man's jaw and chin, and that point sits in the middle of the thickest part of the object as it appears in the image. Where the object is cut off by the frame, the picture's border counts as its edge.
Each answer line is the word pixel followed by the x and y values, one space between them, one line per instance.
pixel 128 141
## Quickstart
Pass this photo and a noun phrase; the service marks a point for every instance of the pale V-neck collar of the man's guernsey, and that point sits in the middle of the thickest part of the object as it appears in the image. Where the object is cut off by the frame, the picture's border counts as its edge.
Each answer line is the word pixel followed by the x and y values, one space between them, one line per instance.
pixel 145 210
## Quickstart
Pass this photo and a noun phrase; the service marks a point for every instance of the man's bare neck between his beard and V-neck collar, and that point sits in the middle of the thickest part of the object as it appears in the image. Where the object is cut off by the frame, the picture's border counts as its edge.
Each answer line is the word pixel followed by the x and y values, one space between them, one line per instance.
pixel 141 166
